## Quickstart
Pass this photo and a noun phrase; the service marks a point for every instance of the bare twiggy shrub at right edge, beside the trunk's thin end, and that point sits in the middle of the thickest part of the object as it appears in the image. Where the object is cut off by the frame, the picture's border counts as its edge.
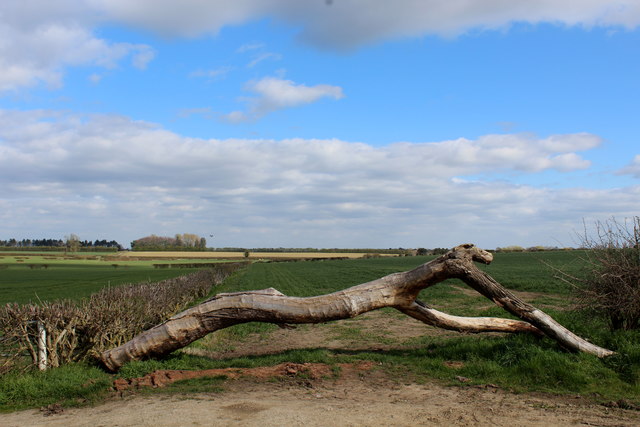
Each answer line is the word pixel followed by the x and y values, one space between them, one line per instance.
pixel 610 286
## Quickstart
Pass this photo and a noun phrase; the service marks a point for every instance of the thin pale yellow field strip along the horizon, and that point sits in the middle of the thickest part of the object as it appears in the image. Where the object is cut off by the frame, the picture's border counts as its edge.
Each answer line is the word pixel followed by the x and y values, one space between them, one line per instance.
pixel 252 255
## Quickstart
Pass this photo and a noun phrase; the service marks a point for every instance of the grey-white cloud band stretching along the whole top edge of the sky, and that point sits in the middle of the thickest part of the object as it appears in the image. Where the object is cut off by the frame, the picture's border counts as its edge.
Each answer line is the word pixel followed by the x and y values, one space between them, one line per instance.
pixel 40 38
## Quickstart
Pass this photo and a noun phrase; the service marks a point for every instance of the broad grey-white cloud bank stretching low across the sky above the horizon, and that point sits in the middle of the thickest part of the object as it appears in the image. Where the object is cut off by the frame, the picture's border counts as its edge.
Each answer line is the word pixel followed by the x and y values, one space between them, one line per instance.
pixel 112 175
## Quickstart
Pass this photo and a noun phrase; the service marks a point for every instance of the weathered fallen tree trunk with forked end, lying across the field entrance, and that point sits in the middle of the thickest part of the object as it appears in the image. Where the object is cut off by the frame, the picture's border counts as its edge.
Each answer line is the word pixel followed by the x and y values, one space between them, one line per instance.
pixel 398 290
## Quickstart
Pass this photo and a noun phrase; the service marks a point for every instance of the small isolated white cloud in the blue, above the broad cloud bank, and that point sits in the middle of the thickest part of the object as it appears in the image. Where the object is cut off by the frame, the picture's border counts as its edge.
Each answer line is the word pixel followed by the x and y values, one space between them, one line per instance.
pixel 276 94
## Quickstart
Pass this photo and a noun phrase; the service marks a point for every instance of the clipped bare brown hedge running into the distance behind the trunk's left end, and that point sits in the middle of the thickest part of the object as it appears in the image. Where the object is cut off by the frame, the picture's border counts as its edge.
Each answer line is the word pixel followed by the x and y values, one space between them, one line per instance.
pixel 81 330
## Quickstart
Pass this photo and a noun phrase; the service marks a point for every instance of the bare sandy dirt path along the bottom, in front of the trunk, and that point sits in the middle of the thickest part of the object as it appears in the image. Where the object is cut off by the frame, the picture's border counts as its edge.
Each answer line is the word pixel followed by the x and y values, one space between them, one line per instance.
pixel 344 402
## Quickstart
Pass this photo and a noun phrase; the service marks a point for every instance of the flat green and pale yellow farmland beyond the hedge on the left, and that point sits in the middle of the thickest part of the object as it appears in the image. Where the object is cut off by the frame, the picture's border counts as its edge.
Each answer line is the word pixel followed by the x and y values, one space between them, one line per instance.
pixel 32 276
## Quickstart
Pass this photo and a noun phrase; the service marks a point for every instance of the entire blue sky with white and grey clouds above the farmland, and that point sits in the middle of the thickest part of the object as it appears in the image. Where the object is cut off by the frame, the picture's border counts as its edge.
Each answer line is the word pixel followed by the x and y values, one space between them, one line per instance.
pixel 319 123
